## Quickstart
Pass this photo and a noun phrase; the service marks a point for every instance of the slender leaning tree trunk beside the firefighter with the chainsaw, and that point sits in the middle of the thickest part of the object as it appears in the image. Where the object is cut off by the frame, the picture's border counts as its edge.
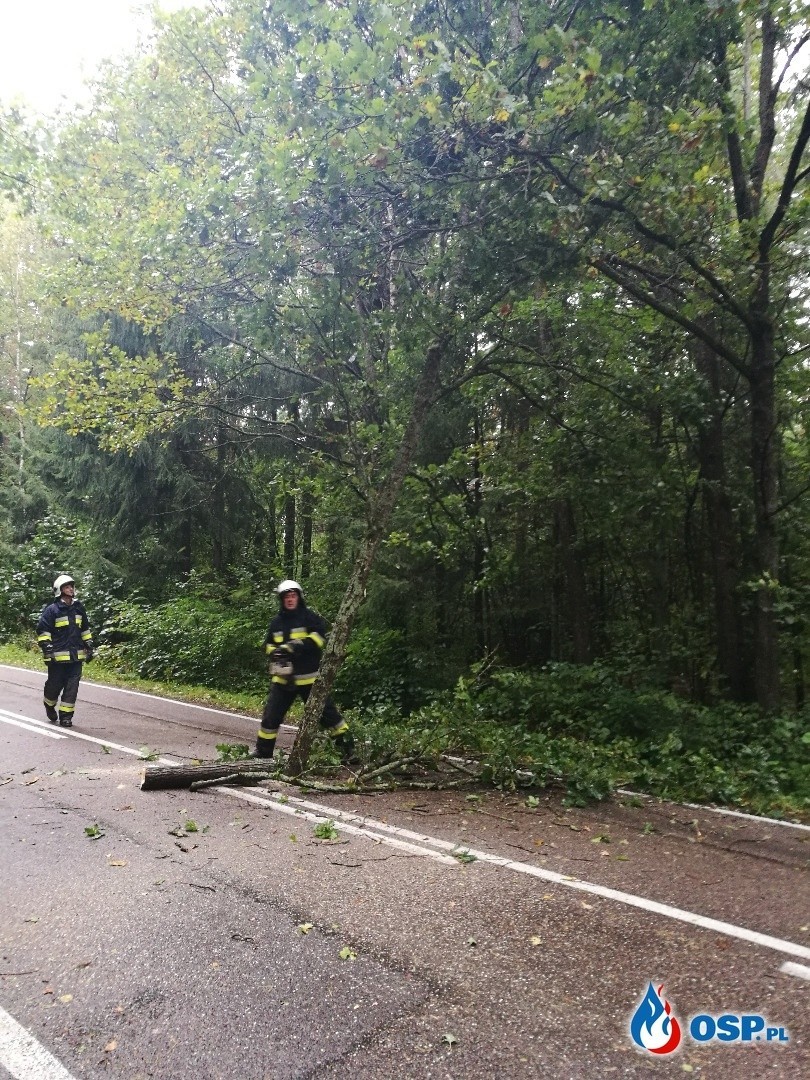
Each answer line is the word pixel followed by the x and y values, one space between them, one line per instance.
pixel 381 508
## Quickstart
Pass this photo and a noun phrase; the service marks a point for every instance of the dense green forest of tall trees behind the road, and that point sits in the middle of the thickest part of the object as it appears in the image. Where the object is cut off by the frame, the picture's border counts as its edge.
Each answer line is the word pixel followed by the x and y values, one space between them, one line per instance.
pixel 487 321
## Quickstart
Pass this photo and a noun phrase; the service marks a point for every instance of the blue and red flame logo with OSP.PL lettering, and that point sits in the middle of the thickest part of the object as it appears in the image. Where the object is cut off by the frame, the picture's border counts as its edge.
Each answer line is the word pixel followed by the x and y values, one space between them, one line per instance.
pixel 655 1029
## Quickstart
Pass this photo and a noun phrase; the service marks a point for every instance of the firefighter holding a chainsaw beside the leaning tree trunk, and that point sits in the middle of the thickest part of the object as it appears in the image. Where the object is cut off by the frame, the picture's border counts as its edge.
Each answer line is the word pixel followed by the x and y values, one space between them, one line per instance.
pixel 298 634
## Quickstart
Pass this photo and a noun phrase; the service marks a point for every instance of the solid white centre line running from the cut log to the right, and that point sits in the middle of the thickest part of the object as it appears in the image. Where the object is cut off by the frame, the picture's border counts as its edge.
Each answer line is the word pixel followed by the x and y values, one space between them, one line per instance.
pixel 339 817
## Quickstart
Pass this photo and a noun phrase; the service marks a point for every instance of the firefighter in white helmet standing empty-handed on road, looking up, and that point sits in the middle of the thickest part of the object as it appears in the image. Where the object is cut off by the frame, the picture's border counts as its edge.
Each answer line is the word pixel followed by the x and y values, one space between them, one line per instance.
pixel 64 636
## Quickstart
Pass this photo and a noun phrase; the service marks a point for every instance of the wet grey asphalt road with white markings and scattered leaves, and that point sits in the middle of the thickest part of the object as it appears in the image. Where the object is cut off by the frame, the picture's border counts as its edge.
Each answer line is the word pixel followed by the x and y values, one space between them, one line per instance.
pixel 193 936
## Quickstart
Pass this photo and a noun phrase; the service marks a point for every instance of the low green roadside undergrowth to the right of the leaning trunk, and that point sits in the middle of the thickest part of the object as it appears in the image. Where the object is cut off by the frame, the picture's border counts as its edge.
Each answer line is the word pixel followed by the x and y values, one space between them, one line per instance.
pixel 583 728
